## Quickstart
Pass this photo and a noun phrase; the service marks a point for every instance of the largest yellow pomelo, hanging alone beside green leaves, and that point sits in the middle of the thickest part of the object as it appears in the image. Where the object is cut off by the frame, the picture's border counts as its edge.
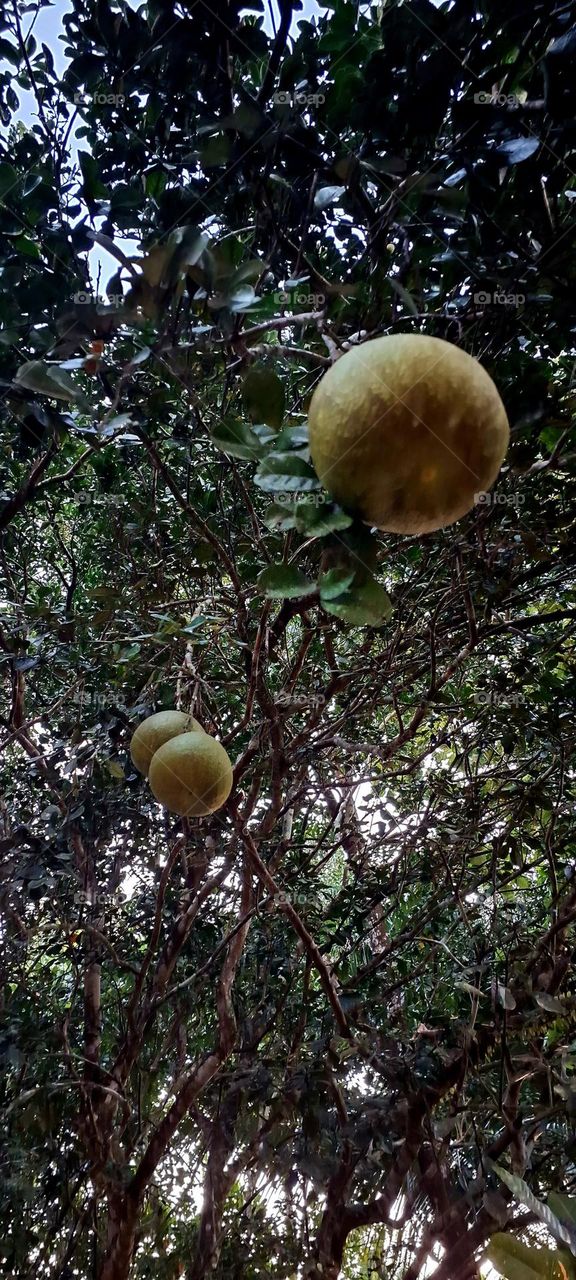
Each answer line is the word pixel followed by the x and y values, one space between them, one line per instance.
pixel 405 431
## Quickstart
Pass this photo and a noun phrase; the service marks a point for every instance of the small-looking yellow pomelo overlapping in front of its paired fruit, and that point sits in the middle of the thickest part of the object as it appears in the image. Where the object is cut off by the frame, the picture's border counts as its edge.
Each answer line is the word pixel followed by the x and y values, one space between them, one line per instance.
pixel 191 775
